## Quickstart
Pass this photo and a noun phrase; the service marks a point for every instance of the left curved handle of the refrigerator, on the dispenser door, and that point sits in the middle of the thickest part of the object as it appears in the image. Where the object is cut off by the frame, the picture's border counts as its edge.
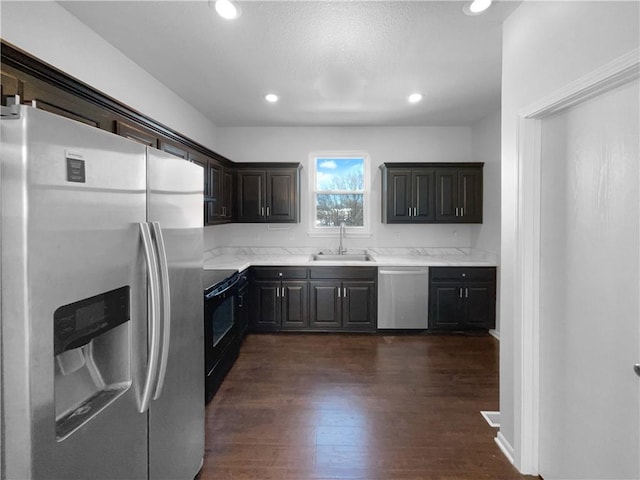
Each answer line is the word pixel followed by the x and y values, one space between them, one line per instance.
pixel 153 323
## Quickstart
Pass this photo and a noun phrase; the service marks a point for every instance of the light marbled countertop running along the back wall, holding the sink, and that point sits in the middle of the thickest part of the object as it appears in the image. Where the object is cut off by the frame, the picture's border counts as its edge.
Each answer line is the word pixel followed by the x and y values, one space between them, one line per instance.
pixel 239 258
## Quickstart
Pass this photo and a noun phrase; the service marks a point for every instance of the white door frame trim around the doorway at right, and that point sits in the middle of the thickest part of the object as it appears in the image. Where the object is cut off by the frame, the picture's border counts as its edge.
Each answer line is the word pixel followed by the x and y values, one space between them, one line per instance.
pixel 623 69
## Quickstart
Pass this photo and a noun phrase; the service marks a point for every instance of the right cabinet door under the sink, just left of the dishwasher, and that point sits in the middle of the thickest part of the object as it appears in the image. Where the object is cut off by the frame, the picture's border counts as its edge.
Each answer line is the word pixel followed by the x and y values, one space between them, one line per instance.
pixel 358 305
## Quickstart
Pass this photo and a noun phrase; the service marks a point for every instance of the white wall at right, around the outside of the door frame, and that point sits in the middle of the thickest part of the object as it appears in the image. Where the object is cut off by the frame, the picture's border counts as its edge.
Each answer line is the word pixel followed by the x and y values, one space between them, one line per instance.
pixel 546 45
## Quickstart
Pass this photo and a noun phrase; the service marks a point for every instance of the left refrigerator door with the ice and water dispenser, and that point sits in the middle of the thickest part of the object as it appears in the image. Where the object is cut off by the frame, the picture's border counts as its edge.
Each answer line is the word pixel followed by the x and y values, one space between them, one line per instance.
pixel 72 268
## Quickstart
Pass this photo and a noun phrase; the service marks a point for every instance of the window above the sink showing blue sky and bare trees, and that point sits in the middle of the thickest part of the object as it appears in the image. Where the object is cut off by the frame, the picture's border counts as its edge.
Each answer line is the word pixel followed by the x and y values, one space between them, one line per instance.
pixel 340 188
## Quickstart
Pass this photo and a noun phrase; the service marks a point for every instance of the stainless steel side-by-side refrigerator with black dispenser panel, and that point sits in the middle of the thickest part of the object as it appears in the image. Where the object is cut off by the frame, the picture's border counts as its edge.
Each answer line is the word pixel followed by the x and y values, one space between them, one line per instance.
pixel 101 327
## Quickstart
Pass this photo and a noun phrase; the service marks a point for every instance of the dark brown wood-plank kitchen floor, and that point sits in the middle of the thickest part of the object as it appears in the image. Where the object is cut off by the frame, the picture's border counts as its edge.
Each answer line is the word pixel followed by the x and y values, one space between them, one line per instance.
pixel 407 407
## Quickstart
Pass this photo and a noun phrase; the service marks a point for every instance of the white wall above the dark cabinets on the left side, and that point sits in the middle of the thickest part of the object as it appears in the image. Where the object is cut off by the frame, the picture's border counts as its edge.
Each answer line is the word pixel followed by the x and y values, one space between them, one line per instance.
pixel 50 33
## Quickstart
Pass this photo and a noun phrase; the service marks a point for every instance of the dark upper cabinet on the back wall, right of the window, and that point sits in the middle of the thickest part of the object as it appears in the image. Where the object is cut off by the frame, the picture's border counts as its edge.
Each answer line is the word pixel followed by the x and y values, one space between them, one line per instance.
pixel 432 192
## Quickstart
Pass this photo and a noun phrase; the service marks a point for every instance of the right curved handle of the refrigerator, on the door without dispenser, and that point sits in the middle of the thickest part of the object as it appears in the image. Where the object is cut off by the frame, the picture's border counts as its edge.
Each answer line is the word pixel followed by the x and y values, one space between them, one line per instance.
pixel 166 306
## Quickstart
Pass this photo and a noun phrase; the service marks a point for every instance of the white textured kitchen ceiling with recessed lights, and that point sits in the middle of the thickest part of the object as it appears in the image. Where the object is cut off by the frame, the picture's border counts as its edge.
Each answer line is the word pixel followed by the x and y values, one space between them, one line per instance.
pixel 331 62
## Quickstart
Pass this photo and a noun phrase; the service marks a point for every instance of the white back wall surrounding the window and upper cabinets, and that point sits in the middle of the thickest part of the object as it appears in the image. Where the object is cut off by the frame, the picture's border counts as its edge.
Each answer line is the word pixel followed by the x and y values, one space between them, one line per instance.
pixel 383 144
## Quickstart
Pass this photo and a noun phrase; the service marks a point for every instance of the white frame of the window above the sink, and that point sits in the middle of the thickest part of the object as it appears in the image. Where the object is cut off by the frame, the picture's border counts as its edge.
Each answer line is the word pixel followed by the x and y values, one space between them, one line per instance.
pixel 318 231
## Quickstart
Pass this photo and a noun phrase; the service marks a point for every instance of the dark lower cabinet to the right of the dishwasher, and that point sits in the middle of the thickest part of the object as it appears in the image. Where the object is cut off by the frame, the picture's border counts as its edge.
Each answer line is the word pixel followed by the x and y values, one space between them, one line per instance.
pixel 462 298
